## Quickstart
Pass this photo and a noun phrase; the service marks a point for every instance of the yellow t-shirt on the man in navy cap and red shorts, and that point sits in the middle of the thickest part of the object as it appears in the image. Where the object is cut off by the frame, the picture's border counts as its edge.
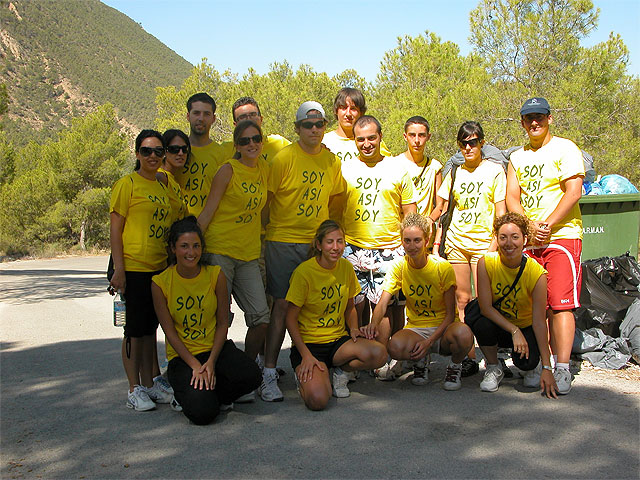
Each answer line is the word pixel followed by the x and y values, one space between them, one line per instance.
pixel 539 175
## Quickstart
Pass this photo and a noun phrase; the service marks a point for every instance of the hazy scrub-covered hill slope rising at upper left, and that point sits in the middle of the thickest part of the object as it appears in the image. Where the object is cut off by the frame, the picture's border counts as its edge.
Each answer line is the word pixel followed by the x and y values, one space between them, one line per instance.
pixel 62 59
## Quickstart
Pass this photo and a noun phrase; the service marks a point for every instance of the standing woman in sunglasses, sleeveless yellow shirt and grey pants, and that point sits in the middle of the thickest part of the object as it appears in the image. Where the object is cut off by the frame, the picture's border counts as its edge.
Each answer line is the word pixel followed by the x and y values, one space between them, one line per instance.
pixel 231 220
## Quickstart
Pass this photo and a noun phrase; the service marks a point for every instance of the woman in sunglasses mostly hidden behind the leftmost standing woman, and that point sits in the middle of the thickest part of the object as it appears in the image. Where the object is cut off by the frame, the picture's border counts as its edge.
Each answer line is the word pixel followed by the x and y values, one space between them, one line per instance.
pixel 178 151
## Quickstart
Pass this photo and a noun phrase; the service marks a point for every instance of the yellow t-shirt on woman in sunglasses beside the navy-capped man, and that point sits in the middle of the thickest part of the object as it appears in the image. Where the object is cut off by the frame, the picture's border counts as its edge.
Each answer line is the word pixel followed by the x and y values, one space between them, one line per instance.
pixel 475 194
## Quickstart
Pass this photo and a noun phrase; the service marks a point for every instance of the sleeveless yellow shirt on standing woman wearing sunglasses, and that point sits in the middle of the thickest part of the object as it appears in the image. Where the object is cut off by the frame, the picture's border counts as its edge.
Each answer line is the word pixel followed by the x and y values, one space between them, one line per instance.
pixel 234 230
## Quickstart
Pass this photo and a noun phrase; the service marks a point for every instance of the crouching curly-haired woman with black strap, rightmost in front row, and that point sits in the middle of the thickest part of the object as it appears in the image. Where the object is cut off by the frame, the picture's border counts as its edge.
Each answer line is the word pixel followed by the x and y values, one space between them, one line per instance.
pixel 519 321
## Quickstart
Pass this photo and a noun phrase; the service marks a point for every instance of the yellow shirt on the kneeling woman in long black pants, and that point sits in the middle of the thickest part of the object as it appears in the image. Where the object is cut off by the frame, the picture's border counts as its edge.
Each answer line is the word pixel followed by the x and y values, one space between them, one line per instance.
pixel 192 303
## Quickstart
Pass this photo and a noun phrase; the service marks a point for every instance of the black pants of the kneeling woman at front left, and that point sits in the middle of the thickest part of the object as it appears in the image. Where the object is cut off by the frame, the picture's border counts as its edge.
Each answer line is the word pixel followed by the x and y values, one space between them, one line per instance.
pixel 236 375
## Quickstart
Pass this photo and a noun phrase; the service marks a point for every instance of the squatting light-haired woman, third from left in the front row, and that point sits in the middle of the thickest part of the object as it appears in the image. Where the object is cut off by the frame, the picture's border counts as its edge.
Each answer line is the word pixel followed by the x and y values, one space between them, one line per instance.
pixel 429 284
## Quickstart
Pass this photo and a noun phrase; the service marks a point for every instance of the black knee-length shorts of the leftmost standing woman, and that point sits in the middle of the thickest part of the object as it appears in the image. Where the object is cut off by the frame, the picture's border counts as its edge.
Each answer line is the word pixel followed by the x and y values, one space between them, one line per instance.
pixel 141 316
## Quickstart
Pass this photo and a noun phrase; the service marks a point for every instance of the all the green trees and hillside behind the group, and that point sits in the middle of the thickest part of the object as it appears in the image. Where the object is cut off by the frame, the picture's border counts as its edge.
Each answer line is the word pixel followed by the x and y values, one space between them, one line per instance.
pixel 54 193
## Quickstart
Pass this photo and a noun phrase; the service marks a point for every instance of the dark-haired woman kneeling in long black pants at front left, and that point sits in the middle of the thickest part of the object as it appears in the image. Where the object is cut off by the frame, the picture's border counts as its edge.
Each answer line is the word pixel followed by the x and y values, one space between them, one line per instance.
pixel 207 371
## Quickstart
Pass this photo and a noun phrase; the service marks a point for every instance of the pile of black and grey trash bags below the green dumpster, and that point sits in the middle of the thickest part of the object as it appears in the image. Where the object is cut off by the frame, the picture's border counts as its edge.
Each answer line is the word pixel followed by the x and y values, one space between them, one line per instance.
pixel 608 320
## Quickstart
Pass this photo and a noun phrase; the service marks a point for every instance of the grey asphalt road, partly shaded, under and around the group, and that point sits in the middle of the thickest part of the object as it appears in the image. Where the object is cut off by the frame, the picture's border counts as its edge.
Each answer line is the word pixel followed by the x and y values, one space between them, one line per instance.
pixel 63 414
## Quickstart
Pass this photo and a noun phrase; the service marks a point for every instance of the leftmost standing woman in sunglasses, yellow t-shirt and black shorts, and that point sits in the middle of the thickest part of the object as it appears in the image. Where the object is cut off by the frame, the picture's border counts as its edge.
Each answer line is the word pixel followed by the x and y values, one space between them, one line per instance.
pixel 140 215
